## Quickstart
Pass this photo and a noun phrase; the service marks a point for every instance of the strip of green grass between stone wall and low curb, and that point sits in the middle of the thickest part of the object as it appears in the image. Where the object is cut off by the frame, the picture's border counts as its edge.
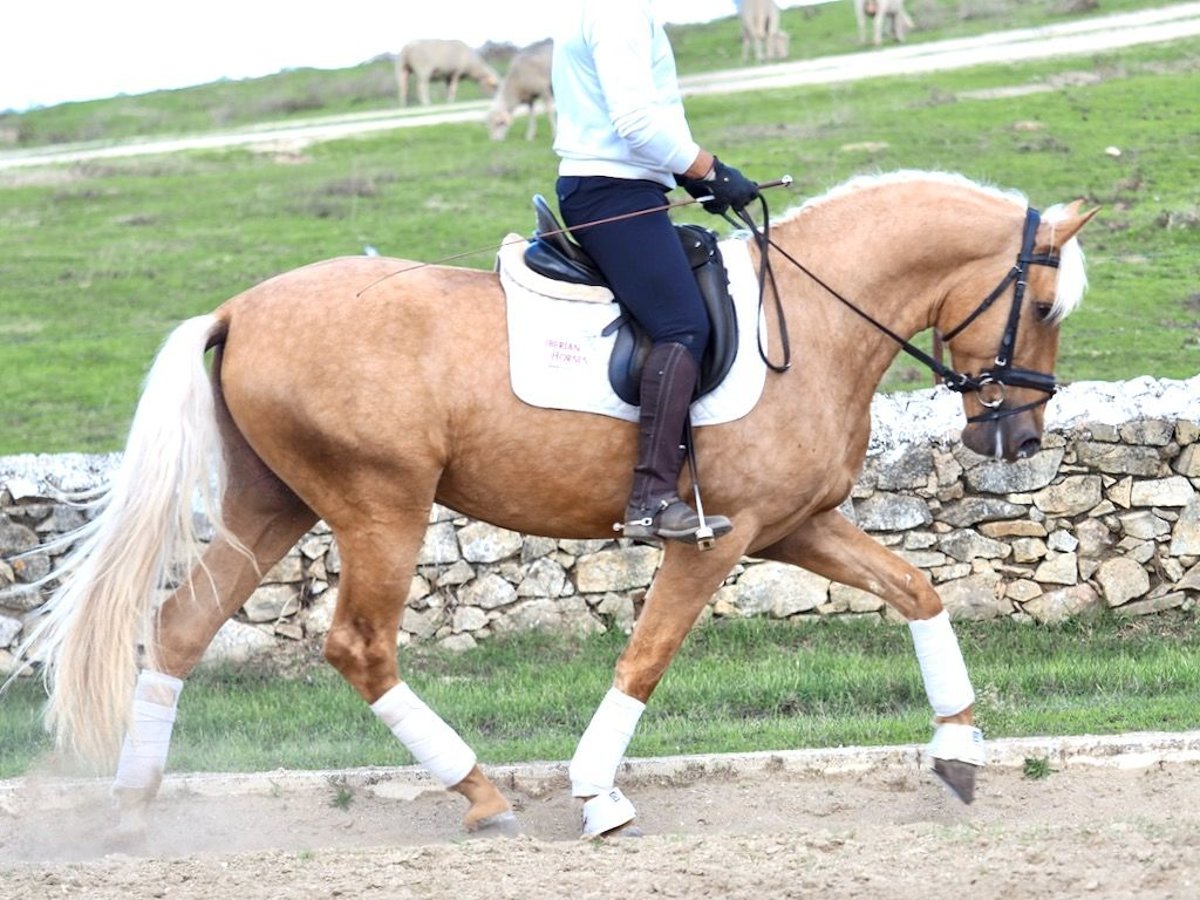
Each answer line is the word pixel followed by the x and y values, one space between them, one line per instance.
pixel 737 686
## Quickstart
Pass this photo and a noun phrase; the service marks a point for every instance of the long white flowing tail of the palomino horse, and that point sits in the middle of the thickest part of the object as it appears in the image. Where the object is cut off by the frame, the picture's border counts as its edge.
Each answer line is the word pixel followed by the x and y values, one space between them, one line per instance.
pixel 104 610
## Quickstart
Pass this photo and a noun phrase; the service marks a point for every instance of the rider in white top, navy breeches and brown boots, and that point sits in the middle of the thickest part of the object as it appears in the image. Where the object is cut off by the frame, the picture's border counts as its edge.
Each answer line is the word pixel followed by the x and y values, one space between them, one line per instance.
pixel 625 142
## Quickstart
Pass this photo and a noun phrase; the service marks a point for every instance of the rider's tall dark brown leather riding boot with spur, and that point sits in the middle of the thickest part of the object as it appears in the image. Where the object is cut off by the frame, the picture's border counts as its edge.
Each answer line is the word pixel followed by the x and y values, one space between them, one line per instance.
pixel 655 511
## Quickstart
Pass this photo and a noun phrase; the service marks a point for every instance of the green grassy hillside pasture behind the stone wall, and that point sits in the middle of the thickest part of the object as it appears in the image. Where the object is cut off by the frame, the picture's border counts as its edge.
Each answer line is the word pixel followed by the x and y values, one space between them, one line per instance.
pixel 99 261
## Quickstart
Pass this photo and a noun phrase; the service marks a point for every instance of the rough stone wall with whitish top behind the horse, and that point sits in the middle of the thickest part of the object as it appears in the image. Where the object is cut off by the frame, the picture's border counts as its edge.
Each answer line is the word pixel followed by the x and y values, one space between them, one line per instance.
pixel 1107 515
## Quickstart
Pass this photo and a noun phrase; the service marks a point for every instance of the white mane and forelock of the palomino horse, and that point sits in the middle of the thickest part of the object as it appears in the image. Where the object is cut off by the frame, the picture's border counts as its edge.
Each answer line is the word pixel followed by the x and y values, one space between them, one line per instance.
pixel 1072 275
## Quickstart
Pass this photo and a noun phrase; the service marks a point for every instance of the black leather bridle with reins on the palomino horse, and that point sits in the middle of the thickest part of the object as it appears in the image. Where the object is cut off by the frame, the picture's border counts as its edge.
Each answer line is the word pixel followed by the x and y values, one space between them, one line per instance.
pixel 991 383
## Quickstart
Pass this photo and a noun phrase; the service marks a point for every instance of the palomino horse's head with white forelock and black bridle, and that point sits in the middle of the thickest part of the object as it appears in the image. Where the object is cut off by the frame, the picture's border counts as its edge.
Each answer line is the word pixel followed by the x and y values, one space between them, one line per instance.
pixel 1004 337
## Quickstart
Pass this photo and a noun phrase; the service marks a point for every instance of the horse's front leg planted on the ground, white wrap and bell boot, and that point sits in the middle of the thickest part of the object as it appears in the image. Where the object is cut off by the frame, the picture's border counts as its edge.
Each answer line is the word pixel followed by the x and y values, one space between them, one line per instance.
pixel 685 584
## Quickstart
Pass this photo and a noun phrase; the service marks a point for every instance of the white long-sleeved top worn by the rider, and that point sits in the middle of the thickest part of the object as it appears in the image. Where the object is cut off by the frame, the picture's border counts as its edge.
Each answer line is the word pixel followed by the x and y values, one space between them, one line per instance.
pixel 617 94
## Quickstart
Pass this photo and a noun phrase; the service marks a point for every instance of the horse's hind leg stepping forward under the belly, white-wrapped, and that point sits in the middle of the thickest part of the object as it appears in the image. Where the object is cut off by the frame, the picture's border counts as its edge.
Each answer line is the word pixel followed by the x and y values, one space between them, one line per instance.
pixel 377 571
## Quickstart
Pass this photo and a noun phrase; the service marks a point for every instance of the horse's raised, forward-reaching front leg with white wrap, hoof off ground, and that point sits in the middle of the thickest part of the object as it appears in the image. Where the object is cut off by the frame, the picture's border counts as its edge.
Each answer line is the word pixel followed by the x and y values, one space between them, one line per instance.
pixel 830 545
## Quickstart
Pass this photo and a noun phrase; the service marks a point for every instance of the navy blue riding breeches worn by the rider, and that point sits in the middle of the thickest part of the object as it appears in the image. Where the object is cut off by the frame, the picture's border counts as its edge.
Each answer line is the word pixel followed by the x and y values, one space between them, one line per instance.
pixel 641 257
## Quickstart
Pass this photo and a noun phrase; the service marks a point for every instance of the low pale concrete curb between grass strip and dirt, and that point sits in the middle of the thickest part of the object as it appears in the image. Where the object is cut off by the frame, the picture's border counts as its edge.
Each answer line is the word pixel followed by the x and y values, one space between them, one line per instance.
pixel 1123 752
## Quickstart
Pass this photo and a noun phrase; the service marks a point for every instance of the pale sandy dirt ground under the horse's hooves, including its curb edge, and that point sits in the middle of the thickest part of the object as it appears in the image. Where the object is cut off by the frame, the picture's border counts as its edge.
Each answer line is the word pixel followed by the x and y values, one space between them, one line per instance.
pixel 1112 818
